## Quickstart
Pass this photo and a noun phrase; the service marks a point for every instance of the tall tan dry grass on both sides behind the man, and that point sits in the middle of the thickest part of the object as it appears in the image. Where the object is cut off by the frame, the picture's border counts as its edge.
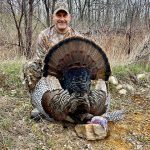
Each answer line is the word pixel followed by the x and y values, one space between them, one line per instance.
pixel 114 43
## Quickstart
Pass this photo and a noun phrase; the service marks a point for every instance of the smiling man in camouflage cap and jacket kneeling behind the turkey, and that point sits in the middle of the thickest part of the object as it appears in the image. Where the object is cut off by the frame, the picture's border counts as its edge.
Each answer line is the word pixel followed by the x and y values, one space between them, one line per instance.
pixel 47 38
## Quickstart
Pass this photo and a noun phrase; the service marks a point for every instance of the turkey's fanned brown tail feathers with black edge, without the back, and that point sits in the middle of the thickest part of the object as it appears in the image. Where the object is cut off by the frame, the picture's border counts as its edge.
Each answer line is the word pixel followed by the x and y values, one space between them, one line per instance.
pixel 77 52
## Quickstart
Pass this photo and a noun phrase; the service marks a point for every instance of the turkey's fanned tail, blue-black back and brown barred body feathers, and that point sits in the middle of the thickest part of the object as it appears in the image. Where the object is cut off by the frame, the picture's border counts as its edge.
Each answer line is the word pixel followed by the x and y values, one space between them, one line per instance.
pixel 75 62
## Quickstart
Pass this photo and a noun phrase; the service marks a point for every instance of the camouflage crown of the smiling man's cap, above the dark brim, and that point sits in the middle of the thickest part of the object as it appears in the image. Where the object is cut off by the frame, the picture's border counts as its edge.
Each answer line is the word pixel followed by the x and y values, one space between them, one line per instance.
pixel 61 5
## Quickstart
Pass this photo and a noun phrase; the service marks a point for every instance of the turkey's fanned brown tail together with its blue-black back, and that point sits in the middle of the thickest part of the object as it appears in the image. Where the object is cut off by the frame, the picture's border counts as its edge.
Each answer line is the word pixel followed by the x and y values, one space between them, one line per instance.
pixel 75 61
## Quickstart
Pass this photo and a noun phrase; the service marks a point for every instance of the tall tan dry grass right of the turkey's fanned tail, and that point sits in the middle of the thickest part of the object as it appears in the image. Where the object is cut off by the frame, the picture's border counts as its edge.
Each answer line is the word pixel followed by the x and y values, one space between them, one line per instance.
pixel 116 46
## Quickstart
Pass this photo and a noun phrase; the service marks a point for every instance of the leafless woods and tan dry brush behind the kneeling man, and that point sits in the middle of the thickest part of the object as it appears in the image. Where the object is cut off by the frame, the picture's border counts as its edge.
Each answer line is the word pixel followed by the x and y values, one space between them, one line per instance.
pixel 119 26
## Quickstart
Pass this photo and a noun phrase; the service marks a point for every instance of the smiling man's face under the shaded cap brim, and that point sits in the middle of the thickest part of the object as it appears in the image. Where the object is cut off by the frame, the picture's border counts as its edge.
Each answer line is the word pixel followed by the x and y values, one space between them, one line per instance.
pixel 61 20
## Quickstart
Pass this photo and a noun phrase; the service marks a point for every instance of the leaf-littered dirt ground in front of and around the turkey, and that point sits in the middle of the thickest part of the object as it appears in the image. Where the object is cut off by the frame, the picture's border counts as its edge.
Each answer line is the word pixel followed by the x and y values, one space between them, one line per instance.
pixel 19 132
